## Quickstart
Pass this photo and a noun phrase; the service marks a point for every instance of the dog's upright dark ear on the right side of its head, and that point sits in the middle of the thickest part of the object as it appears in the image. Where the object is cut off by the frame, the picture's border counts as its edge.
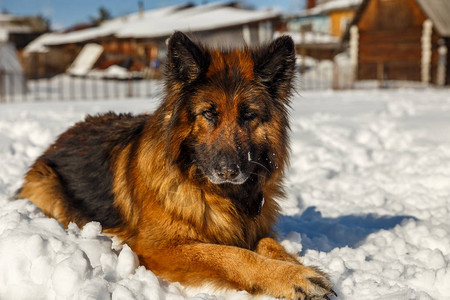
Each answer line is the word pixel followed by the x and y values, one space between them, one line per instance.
pixel 274 66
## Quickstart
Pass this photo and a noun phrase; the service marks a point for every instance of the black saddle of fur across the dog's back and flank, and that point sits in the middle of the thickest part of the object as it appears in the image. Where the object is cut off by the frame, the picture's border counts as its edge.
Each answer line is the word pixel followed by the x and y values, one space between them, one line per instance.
pixel 81 158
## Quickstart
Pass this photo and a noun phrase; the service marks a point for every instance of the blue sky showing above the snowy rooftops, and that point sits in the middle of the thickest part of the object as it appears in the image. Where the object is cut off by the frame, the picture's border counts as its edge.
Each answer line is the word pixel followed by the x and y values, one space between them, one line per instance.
pixel 64 13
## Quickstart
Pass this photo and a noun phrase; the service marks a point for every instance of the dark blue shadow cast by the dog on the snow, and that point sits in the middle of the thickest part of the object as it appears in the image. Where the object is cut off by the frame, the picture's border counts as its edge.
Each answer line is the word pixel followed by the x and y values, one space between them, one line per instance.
pixel 324 234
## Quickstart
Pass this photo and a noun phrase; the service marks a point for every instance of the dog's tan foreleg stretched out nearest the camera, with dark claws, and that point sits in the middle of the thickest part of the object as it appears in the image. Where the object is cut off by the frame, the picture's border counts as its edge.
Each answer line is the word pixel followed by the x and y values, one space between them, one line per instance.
pixel 241 269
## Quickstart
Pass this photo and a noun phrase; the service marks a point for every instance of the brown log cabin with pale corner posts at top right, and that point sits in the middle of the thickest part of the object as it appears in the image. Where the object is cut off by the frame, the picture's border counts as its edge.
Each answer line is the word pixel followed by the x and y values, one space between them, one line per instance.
pixel 401 40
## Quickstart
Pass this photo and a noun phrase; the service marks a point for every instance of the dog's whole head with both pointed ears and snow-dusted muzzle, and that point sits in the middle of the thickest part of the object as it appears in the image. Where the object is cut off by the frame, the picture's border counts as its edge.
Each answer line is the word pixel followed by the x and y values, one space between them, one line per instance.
pixel 228 109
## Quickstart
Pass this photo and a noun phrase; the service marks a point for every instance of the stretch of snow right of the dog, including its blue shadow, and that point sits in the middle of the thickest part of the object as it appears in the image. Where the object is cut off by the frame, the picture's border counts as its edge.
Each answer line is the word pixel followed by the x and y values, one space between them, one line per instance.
pixel 369 191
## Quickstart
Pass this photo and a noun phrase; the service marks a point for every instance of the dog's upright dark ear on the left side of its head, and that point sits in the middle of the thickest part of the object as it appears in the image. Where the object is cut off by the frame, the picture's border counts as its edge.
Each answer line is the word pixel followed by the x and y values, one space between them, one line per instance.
pixel 186 60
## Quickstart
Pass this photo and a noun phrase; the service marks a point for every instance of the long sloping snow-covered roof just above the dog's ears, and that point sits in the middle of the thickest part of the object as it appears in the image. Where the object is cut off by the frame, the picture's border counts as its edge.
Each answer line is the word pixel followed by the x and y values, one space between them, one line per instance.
pixel 161 22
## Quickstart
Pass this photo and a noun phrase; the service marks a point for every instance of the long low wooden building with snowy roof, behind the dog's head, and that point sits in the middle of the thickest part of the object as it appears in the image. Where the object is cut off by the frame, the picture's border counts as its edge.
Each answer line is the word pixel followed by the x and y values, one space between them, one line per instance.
pixel 137 42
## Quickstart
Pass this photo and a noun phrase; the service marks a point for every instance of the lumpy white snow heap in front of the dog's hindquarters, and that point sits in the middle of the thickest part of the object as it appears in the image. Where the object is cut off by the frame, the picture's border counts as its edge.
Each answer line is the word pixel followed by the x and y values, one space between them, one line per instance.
pixel 42 260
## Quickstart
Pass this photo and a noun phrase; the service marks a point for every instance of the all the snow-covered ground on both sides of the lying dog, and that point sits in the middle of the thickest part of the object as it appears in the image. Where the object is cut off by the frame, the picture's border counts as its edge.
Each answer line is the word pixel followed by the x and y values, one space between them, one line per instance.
pixel 368 201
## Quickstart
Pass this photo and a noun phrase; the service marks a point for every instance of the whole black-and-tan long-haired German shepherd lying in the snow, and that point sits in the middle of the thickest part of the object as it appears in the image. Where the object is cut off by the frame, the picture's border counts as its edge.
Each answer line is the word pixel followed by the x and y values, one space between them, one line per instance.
pixel 191 188
